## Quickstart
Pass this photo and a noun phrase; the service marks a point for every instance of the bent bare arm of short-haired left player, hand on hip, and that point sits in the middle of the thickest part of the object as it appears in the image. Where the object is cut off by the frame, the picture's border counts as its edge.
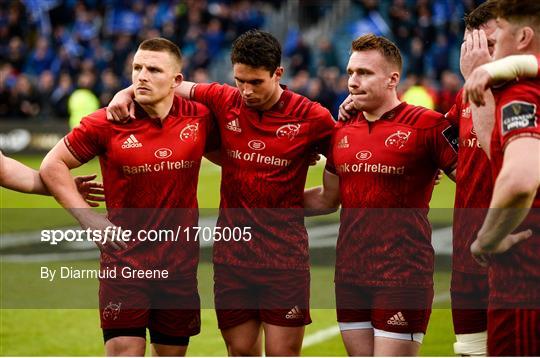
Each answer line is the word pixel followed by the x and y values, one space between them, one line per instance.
pixel 54 172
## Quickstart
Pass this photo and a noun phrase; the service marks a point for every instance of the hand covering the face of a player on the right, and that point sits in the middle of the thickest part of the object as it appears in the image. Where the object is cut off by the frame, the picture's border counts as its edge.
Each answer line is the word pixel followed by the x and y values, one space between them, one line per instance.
pixel 474 52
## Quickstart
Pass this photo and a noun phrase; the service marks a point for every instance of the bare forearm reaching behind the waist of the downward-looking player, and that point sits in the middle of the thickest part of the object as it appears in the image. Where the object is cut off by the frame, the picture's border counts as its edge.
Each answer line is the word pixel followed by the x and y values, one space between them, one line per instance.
pixel 323 199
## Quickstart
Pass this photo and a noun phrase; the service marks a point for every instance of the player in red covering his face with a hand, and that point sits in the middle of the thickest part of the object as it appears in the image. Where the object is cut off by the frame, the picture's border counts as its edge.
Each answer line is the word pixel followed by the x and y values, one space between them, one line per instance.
pixel 469 286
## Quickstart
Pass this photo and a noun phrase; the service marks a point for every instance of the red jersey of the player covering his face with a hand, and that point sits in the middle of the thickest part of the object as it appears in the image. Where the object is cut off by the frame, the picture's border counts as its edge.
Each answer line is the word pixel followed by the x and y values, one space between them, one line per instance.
pixel 474 186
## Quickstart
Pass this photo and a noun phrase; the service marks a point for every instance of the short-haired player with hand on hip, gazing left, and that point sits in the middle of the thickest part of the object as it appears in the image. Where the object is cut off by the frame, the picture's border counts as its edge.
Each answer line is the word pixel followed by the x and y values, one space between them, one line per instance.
pixel 149 163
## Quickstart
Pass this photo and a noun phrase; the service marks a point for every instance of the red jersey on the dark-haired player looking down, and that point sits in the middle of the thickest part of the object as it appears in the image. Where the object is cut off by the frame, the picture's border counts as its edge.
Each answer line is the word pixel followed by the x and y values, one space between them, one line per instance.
pixel 265 159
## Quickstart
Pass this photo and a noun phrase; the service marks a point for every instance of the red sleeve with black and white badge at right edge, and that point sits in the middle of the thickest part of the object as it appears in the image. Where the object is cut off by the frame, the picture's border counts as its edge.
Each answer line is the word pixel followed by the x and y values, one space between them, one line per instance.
pixel 518 113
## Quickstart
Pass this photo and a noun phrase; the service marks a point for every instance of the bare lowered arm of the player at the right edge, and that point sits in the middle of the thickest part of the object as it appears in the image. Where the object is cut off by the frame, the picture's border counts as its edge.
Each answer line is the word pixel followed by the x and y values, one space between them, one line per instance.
pixel 513 195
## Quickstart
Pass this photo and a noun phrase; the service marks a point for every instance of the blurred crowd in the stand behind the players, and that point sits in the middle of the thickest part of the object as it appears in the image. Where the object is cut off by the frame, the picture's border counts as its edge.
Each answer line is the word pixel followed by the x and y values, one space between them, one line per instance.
pixel 56 56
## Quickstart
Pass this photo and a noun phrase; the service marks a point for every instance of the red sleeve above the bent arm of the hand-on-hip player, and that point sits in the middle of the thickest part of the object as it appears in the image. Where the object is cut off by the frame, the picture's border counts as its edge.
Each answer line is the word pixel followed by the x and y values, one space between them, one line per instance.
pixel 87 139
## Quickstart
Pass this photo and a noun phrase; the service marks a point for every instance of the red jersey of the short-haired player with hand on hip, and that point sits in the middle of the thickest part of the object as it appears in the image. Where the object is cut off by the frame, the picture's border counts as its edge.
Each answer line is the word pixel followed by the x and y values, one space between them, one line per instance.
pixel 148 165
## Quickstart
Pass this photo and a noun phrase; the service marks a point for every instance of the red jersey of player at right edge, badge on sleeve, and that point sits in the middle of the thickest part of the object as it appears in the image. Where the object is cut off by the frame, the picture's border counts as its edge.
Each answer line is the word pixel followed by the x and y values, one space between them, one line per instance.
pixel 515 275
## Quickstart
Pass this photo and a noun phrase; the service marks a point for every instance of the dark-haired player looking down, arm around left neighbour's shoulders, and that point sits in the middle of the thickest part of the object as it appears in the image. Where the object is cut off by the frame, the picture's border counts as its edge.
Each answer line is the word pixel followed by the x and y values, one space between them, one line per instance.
pixel 268 135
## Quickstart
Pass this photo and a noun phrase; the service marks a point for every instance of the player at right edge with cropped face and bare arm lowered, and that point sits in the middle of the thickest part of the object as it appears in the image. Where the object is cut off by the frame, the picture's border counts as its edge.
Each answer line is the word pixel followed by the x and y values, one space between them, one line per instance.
pixel 514 268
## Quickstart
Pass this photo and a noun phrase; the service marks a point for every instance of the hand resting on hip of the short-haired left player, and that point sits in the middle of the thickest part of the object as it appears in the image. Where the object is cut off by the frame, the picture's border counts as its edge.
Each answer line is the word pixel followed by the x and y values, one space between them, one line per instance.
pixel 95 221
